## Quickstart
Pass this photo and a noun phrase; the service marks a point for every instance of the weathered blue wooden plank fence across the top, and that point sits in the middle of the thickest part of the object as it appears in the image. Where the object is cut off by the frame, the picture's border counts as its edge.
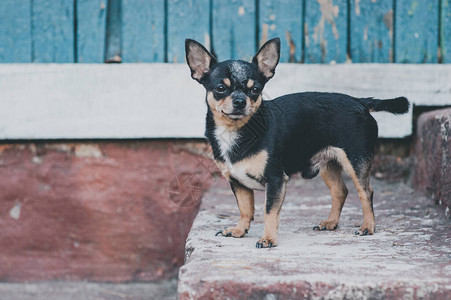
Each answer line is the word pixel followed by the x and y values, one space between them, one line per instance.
pixel 312 31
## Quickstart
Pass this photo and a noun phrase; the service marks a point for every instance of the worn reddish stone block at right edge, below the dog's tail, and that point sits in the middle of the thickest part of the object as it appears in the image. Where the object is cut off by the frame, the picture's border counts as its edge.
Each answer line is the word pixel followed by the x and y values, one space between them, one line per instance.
pixel 433 156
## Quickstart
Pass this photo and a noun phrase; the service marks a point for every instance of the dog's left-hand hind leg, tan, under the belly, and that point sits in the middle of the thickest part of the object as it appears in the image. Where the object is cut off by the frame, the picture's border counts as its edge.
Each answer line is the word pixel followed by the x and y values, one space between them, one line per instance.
pixel 331 174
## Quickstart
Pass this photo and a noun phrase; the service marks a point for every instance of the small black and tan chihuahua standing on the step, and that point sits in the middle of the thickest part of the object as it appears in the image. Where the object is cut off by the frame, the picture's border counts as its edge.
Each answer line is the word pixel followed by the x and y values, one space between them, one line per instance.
pixel 258 144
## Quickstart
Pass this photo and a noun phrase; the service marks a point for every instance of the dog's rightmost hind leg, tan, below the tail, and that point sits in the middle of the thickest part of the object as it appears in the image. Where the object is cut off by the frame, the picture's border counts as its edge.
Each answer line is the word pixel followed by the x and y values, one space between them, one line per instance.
pixel 360 175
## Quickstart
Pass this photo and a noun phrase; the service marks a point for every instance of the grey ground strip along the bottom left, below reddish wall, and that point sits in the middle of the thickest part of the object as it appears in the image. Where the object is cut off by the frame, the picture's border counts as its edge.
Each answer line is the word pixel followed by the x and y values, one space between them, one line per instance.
pixel 164 290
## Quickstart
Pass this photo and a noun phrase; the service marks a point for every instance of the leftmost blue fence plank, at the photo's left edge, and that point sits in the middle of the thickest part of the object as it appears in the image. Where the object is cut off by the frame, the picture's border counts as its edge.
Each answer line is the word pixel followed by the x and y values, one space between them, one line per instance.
pixel 15 31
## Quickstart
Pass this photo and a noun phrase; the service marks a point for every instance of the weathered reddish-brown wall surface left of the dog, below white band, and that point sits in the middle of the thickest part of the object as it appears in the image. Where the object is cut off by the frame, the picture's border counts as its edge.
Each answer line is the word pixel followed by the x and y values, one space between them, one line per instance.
pixel 98 211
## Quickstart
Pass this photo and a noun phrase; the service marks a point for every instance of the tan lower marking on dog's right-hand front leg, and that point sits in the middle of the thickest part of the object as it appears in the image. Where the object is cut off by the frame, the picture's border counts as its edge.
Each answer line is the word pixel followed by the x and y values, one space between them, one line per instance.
pixel 269 238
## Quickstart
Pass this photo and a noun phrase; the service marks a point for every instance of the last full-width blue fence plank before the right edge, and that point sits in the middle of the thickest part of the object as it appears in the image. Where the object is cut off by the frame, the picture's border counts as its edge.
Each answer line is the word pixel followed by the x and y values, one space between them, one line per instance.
pixel 416 33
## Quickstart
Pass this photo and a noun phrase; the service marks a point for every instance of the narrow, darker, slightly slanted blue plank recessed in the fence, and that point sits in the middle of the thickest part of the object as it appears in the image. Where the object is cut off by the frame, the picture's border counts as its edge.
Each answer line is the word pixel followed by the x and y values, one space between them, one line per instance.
pixel 113 47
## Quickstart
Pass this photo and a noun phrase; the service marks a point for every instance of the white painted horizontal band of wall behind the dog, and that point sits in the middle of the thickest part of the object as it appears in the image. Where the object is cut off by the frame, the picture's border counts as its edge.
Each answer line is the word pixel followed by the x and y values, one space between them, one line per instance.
pixel 71 101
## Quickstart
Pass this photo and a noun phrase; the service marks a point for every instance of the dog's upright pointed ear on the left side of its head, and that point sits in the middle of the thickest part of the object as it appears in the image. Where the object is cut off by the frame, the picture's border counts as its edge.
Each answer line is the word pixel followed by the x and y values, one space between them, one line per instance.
pixel 199 59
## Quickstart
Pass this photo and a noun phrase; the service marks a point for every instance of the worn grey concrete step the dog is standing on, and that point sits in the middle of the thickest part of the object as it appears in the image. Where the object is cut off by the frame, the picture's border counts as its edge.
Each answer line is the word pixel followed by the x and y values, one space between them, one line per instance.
pixel 408 257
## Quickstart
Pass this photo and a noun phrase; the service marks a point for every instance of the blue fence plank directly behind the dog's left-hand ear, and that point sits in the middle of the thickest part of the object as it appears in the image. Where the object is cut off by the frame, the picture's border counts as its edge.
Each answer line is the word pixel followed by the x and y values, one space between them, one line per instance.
pixel 187 19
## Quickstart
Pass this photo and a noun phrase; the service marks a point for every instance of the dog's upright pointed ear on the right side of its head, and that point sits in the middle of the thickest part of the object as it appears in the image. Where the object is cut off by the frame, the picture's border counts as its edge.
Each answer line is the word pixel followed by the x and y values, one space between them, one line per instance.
pixel 267 58
